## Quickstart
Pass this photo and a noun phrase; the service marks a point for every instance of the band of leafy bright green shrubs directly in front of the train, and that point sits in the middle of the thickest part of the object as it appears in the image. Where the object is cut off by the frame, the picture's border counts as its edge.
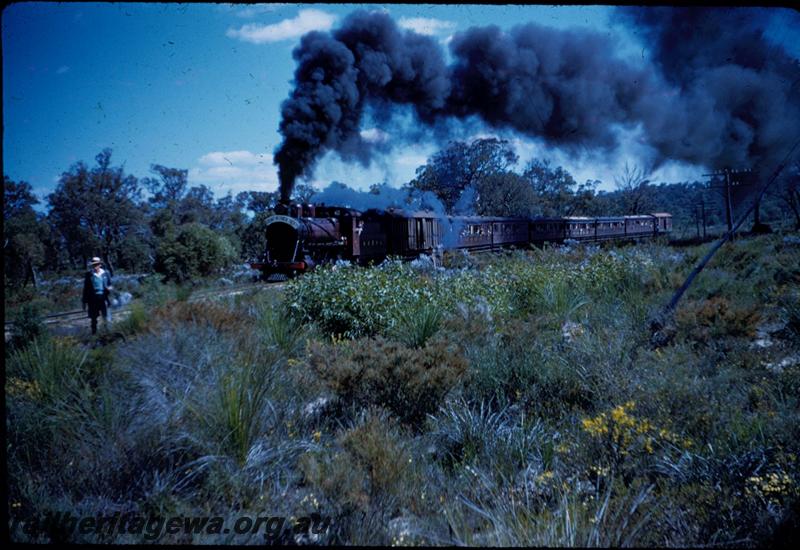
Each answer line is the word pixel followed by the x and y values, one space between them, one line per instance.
pixel 352 302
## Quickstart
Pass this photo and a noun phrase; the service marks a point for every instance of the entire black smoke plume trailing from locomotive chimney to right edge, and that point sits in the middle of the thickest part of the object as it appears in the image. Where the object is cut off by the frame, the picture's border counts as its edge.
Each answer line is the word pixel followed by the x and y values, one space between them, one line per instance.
pixel 715 93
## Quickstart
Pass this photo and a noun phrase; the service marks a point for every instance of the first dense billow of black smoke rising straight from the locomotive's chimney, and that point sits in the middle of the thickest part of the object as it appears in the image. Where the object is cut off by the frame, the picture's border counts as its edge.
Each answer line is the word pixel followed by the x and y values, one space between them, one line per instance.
pixel 369 60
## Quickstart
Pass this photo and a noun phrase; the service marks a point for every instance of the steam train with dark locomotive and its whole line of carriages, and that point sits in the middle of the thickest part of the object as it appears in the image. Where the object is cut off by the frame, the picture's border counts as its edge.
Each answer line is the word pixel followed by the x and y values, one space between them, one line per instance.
pixel 302 236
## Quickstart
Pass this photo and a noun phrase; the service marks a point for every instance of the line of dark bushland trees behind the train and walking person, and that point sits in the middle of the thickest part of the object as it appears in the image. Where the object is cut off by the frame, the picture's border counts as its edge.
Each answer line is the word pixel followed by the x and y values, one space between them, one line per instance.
pixel 160 223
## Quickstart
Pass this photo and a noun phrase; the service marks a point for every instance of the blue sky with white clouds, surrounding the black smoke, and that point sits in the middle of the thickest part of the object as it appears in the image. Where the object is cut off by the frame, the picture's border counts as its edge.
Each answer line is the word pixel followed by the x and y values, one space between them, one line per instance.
pixel 199 86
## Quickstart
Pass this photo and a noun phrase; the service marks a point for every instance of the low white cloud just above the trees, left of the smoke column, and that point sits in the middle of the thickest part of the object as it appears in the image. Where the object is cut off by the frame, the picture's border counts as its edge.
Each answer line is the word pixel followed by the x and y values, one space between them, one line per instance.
pixel 235 171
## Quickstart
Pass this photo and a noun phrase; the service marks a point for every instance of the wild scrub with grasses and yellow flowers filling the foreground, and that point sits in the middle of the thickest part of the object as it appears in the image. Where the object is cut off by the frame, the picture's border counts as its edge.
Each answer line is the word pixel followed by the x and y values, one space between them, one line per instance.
pixel 507 399
